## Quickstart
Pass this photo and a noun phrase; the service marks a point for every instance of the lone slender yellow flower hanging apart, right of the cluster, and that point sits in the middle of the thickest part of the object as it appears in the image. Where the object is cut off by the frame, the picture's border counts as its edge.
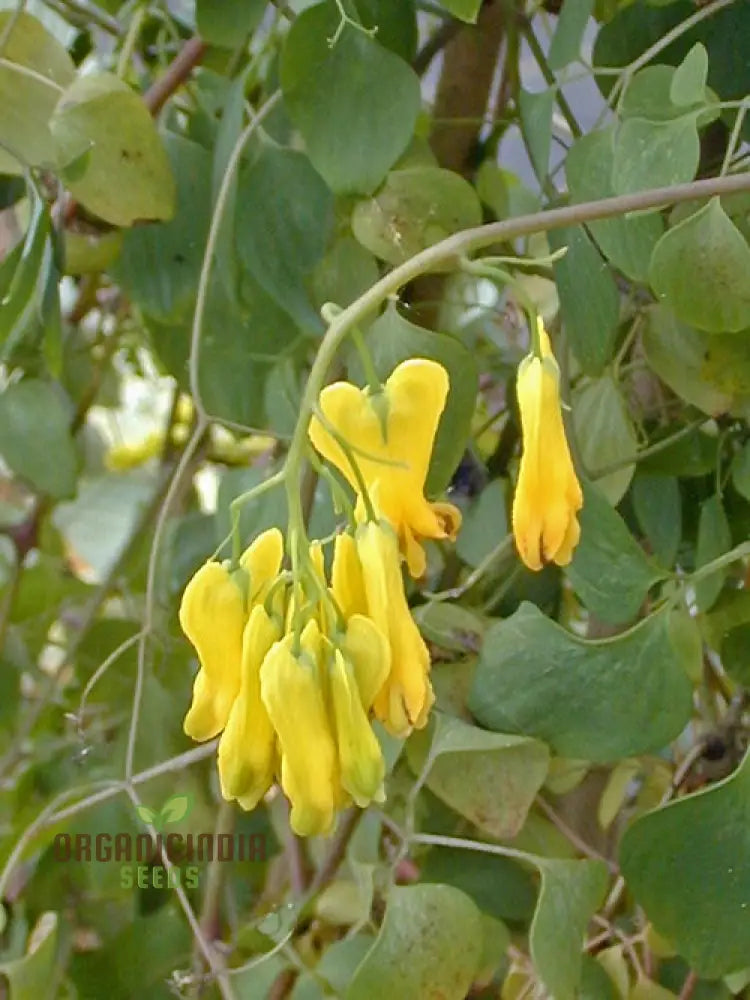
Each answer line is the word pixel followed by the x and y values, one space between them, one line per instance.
pixel 548 494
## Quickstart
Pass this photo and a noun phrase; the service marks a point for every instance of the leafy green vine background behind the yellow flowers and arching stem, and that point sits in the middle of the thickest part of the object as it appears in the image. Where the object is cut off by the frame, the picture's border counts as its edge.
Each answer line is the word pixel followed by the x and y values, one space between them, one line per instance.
pixel 528 847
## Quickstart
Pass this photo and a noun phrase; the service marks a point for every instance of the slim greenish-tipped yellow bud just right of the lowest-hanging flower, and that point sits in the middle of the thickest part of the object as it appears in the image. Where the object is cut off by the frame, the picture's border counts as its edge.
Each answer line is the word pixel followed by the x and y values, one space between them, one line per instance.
pixel 360 757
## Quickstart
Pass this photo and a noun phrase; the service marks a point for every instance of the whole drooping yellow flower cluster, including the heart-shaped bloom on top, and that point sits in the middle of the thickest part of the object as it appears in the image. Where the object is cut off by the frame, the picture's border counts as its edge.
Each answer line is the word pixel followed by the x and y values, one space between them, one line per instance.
pixel 294 667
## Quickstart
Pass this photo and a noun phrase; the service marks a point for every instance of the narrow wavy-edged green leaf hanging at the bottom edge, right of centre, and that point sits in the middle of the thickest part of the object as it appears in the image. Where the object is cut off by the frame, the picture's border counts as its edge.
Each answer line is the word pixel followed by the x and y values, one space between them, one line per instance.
pixel 570 894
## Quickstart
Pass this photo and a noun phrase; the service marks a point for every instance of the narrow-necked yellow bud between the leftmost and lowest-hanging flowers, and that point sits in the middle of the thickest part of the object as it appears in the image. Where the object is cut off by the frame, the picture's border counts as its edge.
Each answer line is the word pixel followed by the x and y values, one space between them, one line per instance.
pixel 248 744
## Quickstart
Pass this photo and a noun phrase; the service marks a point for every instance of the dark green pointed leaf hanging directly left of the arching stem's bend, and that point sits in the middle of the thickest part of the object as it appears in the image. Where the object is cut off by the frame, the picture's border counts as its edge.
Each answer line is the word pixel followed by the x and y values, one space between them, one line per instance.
pixel 281 239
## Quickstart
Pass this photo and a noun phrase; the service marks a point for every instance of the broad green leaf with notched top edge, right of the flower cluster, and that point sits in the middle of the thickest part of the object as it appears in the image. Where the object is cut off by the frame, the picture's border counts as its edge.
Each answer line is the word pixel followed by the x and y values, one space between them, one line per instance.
pixel 594 700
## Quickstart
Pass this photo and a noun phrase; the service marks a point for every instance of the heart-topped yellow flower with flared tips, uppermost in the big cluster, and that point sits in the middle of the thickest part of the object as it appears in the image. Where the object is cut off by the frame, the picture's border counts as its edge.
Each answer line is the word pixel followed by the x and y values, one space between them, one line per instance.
pixel 396 430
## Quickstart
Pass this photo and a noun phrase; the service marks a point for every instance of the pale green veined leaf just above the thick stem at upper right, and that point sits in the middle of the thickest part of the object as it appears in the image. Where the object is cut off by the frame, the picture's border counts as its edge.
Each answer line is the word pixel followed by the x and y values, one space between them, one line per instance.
pixel 651 154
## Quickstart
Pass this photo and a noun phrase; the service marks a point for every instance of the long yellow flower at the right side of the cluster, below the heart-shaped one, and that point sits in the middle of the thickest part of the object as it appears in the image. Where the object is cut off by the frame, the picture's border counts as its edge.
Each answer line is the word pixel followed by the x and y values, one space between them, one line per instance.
pixel 405 699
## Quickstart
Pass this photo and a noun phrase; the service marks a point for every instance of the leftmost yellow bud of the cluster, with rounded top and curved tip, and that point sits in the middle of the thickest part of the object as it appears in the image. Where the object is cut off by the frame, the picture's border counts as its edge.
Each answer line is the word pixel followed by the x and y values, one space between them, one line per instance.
pixel 212 616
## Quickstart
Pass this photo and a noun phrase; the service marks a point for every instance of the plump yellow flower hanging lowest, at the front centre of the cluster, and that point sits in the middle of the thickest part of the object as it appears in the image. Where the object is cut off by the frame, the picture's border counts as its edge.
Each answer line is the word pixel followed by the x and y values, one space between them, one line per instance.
pixel 293 692
